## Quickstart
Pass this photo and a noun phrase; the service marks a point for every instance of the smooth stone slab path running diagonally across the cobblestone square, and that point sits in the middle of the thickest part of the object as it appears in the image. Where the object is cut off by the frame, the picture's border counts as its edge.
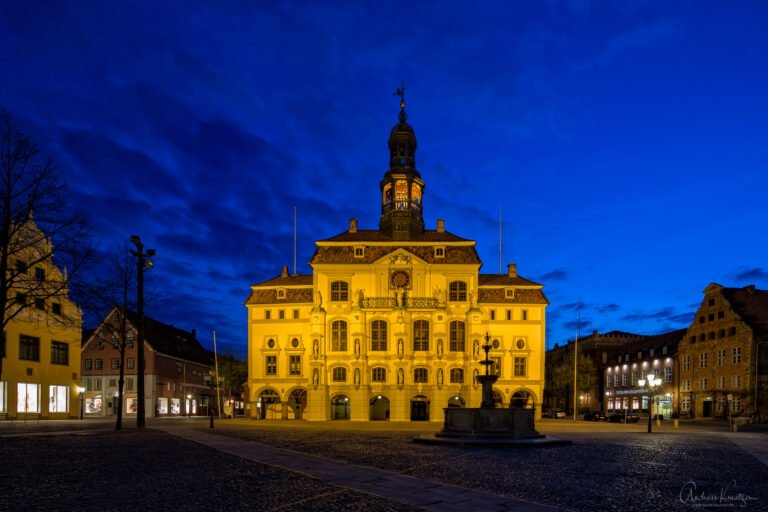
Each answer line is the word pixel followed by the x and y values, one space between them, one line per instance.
pixel 406 489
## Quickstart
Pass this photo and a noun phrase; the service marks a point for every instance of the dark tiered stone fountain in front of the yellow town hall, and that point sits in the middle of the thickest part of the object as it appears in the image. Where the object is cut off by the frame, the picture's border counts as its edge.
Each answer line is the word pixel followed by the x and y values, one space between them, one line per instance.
pixel 487 424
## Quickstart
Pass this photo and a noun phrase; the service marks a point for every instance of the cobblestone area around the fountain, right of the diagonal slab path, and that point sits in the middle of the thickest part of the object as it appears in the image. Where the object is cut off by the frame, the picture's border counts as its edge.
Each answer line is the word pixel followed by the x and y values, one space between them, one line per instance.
pixel 627 471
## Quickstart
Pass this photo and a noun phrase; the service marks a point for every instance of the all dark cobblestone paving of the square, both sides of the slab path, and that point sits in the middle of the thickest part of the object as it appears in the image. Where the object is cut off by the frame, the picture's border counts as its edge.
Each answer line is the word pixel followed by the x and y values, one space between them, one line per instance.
pixel 151 470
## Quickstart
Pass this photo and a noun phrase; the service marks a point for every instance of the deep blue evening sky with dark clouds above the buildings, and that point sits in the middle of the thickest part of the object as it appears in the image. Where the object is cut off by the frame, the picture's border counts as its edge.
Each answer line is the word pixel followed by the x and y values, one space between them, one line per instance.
pixel 625 142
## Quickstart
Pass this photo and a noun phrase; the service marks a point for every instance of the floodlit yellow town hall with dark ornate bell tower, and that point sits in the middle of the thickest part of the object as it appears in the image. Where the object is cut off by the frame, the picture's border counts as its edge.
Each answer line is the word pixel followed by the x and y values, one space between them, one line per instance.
pixel 390 324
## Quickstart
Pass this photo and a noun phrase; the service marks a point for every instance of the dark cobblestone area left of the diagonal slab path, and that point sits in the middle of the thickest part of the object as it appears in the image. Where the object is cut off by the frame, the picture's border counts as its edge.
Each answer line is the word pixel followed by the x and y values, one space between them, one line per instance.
pixel 151 470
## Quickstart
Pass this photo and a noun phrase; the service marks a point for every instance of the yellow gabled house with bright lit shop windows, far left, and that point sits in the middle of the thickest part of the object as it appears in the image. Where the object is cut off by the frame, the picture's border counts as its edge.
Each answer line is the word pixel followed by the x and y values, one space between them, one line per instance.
pixel 41 367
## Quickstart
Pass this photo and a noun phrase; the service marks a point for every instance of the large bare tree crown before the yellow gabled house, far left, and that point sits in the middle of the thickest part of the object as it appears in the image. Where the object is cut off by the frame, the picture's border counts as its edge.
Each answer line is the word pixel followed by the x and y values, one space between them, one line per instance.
pixel 35 222
